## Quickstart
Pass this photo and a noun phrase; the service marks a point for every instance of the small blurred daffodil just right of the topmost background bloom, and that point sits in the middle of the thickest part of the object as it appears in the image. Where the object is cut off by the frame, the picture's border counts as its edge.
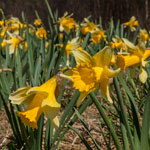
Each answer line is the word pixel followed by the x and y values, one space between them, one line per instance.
pixel 88 27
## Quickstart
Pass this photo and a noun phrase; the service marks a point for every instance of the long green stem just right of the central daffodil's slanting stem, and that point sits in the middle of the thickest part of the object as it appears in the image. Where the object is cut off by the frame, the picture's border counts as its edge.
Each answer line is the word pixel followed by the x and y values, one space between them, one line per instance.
pixel 120 100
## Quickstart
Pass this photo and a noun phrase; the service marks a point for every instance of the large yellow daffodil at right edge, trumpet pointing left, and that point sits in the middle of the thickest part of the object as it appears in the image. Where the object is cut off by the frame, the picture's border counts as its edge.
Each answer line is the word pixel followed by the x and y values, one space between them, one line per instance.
pixel 138 55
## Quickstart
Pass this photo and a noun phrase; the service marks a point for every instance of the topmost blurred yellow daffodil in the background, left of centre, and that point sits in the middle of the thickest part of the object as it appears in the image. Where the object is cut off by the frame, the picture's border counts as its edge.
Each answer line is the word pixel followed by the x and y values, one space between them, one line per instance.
pixel 66 23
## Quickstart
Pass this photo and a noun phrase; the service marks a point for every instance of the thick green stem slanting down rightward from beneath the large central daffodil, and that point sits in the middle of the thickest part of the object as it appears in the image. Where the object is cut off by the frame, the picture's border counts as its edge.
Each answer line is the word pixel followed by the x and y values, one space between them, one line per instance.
pixel 107 121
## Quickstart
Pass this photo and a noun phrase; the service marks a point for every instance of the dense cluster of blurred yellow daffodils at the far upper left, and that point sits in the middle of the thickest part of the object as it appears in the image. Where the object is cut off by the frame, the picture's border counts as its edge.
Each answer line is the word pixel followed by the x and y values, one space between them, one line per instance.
pixel 13 33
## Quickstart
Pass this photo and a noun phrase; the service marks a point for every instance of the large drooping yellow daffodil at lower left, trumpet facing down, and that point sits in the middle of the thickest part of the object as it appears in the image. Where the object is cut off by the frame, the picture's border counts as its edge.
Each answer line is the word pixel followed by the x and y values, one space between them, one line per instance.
pixel 39 99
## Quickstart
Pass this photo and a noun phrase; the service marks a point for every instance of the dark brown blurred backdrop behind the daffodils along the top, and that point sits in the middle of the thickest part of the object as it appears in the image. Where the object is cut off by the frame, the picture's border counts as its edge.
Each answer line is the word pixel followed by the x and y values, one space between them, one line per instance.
pixel 118 9
